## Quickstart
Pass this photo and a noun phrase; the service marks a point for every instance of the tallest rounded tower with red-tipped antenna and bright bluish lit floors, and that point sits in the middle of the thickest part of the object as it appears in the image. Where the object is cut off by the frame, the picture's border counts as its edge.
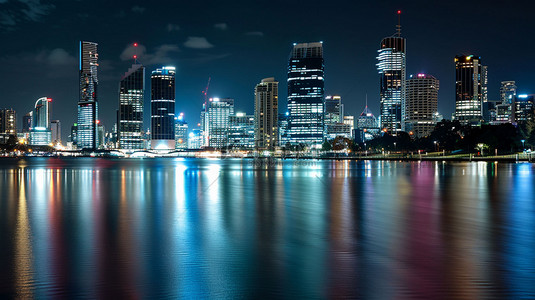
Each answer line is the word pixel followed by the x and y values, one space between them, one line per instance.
pixel 391 65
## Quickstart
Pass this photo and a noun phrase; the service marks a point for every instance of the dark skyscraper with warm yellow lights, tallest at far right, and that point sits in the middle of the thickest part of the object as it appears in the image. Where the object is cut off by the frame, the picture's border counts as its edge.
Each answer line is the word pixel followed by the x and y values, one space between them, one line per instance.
pixel 470 87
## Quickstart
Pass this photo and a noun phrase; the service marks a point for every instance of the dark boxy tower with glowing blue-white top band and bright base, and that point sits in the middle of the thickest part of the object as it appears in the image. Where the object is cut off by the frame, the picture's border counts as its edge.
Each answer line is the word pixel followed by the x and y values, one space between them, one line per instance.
pixel 163 108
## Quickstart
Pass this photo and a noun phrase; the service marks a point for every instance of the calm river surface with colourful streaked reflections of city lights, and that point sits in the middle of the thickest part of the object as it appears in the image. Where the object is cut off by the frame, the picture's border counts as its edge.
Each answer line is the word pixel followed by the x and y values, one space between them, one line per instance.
pixel 187 228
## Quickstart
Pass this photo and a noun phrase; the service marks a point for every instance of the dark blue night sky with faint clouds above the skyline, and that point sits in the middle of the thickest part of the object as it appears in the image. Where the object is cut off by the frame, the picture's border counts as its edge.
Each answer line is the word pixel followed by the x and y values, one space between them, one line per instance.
pixel 237 43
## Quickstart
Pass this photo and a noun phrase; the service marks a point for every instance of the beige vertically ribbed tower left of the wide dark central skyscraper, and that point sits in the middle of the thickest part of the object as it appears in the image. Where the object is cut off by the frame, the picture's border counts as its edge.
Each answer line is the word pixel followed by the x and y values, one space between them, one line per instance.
pixel 266 114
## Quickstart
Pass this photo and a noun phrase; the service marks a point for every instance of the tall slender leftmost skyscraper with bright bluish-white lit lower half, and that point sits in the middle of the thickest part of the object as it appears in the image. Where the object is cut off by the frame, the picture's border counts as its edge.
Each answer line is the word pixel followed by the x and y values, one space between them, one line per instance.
pixel 88 102
